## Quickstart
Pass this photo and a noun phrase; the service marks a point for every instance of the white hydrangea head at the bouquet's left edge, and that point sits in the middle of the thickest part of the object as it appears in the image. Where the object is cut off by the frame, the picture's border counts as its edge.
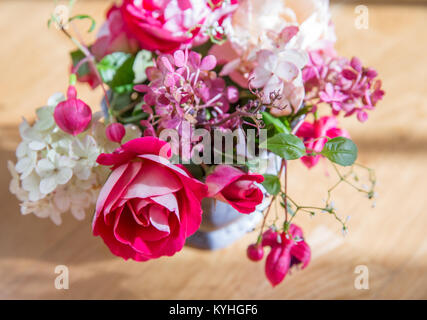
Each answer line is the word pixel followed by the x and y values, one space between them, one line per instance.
pixel 57 173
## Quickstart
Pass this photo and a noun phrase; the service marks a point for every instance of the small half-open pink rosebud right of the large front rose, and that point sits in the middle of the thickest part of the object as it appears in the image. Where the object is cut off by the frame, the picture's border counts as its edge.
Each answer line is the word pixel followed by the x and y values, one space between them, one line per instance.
pixel 232 185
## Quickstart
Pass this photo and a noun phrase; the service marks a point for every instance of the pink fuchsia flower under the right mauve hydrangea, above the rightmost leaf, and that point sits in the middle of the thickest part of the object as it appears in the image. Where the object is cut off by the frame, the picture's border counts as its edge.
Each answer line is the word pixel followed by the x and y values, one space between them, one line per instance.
pixel 316 134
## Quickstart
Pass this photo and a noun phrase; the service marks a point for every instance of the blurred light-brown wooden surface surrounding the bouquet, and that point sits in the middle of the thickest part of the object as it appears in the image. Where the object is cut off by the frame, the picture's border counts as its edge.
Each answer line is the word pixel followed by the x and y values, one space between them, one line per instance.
pixel 390 239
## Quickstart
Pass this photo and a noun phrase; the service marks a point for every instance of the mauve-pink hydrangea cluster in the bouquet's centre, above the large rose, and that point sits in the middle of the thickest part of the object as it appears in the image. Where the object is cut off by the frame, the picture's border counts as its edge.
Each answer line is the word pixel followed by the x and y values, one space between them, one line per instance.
pixel 184 88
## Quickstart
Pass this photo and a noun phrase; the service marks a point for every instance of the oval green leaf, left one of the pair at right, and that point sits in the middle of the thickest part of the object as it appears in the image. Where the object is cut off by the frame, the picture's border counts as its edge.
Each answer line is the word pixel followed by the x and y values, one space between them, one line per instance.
pixel 287 146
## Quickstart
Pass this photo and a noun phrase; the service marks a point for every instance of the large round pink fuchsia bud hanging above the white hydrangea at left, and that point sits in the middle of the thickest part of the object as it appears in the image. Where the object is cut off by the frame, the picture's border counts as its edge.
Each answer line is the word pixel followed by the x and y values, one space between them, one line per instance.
pixel 72 115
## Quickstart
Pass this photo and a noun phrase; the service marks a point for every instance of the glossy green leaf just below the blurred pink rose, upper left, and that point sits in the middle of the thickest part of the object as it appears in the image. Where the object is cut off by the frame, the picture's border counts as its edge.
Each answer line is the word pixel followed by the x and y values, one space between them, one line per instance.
pixel 116 71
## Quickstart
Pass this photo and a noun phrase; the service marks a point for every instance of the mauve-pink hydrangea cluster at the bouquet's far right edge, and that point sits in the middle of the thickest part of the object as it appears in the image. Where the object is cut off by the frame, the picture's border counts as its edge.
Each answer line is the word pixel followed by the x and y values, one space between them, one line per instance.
pixel 345 85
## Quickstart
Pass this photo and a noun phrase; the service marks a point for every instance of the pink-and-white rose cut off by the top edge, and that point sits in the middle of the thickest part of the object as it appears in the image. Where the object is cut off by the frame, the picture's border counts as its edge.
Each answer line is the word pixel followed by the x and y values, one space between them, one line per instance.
pixel 167 25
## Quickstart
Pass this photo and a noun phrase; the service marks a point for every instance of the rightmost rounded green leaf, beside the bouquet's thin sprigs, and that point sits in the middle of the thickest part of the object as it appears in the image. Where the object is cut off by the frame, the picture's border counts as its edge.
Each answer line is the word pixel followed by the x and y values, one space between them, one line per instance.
pixel 340 150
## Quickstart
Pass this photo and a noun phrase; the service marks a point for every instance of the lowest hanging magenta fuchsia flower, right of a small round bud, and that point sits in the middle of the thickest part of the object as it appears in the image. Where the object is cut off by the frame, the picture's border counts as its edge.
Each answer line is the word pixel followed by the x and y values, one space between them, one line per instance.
pixel 287 250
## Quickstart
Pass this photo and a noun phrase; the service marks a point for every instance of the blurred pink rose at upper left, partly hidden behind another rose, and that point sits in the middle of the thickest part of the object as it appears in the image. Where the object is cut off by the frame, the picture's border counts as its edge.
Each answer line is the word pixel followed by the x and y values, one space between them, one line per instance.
pixel 114 36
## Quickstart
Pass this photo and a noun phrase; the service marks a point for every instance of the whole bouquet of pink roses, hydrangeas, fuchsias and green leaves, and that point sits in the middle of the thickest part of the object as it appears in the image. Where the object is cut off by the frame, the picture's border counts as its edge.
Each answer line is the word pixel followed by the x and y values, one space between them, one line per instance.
pixel 204 101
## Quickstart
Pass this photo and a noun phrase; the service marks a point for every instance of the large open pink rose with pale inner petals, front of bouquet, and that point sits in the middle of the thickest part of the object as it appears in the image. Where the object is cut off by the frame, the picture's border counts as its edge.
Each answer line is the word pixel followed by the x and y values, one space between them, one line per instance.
pixel 148 206
